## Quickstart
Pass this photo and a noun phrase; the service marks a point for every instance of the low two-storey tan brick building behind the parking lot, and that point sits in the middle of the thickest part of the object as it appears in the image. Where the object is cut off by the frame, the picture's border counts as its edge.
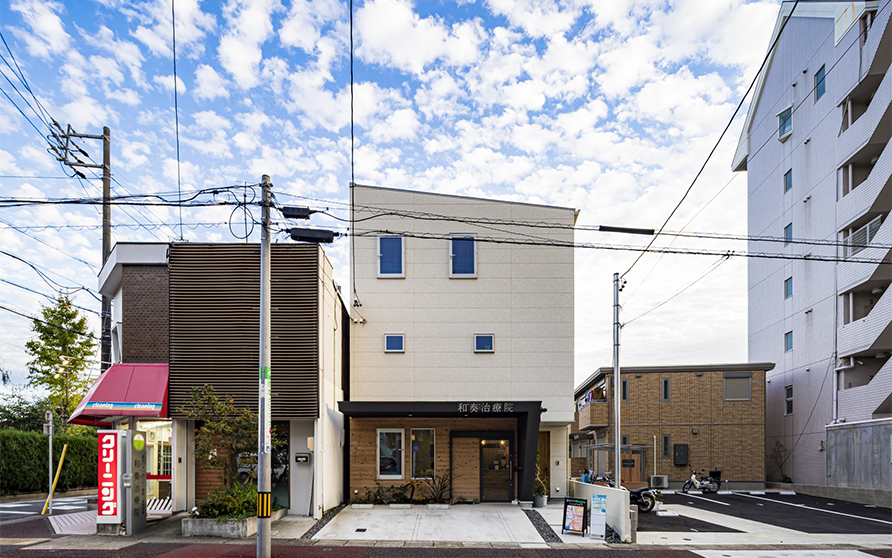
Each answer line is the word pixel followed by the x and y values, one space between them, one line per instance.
pixel 674 419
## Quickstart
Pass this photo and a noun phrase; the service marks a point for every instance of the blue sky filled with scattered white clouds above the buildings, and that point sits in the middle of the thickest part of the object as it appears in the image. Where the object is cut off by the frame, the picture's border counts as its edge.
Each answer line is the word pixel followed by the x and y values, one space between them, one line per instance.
pixel 609 107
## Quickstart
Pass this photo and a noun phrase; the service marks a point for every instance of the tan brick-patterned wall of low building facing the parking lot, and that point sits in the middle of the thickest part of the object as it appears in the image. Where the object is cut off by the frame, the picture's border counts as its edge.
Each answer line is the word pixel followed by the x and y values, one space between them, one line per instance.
pixel 730 434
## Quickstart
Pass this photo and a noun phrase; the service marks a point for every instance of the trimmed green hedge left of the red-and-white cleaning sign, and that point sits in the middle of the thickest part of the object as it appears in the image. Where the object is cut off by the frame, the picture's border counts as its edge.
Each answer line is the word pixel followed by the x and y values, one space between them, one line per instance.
pixel 23 462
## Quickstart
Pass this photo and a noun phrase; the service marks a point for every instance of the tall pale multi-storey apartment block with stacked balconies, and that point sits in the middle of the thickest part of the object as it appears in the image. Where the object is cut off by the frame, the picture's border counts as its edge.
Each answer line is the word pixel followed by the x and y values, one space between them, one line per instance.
pixel 815 146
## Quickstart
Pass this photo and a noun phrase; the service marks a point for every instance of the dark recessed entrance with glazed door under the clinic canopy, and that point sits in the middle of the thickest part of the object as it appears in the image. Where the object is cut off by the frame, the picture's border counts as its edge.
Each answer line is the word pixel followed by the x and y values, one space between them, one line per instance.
pixel 495 459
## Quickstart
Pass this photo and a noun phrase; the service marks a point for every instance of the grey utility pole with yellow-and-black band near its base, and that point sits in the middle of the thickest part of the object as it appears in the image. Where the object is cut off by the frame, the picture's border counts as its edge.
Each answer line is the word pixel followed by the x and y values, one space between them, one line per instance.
pixel 264 416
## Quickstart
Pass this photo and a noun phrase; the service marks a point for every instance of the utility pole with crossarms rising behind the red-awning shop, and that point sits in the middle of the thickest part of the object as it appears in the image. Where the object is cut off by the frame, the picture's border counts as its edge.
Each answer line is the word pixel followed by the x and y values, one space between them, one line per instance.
pixel 66 151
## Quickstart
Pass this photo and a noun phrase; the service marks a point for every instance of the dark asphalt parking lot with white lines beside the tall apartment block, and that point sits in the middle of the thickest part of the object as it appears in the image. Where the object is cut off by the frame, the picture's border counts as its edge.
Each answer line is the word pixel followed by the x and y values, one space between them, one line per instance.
pixel 799 512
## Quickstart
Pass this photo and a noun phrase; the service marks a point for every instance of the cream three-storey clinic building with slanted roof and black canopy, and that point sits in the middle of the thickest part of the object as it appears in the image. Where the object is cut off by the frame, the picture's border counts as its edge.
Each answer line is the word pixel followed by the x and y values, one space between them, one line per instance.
pixel 462 343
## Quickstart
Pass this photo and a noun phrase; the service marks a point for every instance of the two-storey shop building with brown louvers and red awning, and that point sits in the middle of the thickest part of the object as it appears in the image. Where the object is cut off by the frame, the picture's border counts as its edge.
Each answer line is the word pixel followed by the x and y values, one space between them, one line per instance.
pixel 187 314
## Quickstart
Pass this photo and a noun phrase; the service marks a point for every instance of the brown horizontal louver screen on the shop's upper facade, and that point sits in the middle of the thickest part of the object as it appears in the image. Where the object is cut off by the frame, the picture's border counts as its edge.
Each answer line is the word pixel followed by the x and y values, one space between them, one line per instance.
pixel 215 325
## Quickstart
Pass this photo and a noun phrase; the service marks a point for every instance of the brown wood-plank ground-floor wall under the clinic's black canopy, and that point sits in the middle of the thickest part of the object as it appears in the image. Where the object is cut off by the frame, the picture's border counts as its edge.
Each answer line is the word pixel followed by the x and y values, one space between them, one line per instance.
pixel 465 451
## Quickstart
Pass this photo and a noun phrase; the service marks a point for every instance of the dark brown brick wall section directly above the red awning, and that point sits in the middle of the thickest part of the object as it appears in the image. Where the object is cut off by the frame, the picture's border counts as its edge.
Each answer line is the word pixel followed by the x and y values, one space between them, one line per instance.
pixel 144 313
